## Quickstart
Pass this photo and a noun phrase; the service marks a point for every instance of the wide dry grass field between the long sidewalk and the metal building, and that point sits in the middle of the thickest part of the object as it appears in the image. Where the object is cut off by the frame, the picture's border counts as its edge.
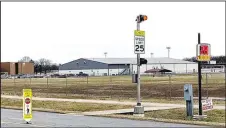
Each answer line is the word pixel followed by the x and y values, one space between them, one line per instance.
pixel 115 87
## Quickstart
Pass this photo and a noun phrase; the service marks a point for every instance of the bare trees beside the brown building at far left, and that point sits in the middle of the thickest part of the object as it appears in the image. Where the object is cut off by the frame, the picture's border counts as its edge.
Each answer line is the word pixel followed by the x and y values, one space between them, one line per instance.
pixel 42 65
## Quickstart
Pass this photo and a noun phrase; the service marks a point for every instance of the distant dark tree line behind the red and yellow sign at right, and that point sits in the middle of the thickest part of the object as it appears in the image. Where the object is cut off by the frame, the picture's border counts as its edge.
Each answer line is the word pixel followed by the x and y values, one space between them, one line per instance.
pixel 218 59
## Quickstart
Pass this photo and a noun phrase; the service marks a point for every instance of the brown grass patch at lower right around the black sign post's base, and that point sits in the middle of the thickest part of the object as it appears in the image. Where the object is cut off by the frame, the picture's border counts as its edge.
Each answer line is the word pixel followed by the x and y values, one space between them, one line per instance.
pixel 178 115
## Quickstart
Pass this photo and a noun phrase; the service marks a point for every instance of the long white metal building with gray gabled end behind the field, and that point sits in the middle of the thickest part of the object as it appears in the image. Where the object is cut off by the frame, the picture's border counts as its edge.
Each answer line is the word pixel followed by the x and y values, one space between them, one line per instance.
pixel 123 66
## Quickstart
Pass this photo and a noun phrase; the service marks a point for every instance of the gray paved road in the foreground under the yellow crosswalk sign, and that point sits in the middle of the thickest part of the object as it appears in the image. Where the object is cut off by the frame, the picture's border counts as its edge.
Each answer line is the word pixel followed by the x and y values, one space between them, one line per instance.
pixel 13 118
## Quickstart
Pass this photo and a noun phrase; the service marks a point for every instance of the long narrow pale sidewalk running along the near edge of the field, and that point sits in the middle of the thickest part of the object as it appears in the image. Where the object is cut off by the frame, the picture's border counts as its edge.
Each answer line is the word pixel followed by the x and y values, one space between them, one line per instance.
pixel 145 104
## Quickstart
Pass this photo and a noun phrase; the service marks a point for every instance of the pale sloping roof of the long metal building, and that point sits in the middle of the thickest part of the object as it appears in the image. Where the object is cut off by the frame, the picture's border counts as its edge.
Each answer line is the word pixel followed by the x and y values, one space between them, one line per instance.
pixel 134 60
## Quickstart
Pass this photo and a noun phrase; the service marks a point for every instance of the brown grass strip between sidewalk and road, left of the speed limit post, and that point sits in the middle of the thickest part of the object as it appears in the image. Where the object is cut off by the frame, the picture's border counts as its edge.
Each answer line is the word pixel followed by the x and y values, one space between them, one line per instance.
pixel 63 106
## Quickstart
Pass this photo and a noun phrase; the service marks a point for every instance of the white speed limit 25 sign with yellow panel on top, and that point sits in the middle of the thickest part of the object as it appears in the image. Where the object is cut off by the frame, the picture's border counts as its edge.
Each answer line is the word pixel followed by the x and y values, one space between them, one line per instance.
pixel 139 42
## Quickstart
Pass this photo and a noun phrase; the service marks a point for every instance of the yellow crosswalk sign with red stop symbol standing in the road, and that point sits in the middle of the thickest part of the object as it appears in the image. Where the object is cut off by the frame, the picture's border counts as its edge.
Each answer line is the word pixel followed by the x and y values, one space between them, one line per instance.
pixel 27 105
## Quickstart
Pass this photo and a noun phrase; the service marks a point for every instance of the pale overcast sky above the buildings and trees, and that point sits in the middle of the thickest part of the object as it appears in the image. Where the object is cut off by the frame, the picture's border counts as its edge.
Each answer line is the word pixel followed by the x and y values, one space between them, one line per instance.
pixel 66 31
